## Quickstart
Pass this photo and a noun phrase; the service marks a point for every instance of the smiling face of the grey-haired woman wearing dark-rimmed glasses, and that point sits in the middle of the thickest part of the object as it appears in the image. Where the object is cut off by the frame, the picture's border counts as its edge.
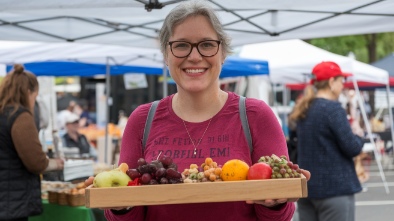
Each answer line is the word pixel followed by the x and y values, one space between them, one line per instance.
pixel 195 73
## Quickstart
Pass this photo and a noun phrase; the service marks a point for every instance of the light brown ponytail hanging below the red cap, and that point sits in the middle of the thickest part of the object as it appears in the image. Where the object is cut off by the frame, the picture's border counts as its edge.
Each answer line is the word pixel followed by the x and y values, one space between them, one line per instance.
pixel 300 109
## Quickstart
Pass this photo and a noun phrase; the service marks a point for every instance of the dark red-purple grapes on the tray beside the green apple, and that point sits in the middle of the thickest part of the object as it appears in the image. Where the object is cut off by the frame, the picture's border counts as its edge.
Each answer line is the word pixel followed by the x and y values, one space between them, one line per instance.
pixel 160 171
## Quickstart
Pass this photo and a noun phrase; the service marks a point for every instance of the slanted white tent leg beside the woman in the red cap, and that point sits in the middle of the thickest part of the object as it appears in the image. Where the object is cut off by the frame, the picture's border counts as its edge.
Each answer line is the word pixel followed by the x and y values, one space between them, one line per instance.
pixel 369 131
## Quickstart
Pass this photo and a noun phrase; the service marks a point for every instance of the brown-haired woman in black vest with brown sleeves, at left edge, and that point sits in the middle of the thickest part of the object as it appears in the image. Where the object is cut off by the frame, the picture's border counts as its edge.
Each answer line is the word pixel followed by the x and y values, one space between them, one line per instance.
pixel 22 159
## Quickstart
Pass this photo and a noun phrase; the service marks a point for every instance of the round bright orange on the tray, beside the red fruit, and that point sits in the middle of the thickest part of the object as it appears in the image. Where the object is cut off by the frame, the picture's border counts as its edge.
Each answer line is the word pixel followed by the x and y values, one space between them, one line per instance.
pixel 234 170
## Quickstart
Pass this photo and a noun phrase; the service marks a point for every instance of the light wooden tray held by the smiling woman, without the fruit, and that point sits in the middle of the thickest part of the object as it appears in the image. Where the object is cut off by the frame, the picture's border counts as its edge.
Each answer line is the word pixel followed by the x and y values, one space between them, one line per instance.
pixel 196 192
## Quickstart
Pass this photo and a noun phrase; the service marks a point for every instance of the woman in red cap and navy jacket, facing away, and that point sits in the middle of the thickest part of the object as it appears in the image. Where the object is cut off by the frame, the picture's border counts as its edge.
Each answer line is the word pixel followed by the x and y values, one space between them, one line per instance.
pixel 326 147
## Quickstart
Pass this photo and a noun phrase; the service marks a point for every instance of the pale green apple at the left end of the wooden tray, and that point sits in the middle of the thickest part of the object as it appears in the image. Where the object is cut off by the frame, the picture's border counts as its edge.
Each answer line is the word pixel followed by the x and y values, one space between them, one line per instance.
pixel 112 178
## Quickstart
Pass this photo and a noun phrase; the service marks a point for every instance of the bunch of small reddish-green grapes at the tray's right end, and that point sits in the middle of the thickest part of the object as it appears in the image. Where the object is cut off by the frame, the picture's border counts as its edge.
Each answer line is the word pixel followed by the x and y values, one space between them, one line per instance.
pixel 281 167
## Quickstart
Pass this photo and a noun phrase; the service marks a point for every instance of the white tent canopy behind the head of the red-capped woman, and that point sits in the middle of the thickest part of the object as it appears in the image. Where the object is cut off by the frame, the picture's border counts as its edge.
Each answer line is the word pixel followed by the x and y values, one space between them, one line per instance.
pixel 291 61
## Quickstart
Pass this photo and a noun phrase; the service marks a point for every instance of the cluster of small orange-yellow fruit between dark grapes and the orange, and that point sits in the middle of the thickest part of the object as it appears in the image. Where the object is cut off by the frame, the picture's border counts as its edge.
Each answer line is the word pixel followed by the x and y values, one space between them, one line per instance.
pixel 210 171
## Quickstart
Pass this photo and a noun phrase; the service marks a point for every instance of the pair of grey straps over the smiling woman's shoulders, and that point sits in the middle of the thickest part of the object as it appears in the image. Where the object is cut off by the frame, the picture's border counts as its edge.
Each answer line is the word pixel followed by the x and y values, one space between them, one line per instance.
pixel 242 113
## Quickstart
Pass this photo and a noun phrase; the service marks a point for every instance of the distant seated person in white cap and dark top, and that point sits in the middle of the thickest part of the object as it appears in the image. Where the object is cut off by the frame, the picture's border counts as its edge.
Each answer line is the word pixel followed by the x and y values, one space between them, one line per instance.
pixel 72 138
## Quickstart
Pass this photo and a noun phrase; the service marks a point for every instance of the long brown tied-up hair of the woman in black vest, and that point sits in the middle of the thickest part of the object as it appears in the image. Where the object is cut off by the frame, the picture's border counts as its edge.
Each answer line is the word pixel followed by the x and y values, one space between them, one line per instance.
pixel 15 88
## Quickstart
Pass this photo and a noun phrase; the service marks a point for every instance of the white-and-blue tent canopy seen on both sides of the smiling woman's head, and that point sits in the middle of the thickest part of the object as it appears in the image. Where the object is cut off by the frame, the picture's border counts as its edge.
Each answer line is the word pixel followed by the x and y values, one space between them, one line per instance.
pixel 79 59
